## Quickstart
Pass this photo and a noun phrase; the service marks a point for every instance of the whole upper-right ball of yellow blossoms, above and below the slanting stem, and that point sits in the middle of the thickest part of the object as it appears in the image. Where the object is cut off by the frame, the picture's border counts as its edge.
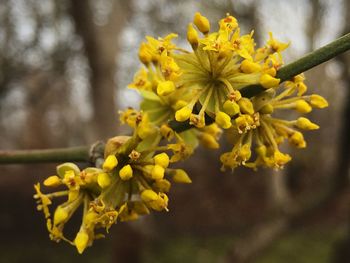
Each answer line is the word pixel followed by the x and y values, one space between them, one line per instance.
pixel 188 86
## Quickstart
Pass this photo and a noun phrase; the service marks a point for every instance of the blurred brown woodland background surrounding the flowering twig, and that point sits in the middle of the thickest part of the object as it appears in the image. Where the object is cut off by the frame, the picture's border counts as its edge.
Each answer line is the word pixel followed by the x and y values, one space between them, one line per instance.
pixel 64 68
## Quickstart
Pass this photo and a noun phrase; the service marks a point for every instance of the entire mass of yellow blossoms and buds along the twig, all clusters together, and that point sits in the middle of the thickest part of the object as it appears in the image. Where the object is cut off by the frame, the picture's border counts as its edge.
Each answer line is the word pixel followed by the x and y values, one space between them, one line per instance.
pixel 192 88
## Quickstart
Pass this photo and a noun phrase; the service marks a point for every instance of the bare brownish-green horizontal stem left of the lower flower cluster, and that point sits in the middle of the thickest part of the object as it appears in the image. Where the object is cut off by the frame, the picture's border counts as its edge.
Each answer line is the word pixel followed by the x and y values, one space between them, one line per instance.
pixel 73 154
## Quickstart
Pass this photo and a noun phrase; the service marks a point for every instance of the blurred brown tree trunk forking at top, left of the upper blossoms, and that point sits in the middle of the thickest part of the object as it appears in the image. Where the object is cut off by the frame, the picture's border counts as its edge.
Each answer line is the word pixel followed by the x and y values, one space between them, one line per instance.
pixel 101 48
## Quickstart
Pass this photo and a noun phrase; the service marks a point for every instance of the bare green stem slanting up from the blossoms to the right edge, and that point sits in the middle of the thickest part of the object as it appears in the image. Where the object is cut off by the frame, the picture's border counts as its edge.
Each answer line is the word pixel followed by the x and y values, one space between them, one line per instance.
pixel 305 63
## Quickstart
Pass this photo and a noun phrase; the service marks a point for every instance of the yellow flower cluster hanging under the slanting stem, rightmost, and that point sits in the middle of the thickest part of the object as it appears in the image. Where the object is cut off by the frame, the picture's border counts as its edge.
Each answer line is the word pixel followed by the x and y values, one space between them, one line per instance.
pixel 260 130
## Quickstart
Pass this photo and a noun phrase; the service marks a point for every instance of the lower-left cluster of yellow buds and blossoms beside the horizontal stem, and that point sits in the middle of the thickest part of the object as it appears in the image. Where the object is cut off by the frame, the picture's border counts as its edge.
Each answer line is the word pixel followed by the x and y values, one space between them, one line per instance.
pixel 133 179
